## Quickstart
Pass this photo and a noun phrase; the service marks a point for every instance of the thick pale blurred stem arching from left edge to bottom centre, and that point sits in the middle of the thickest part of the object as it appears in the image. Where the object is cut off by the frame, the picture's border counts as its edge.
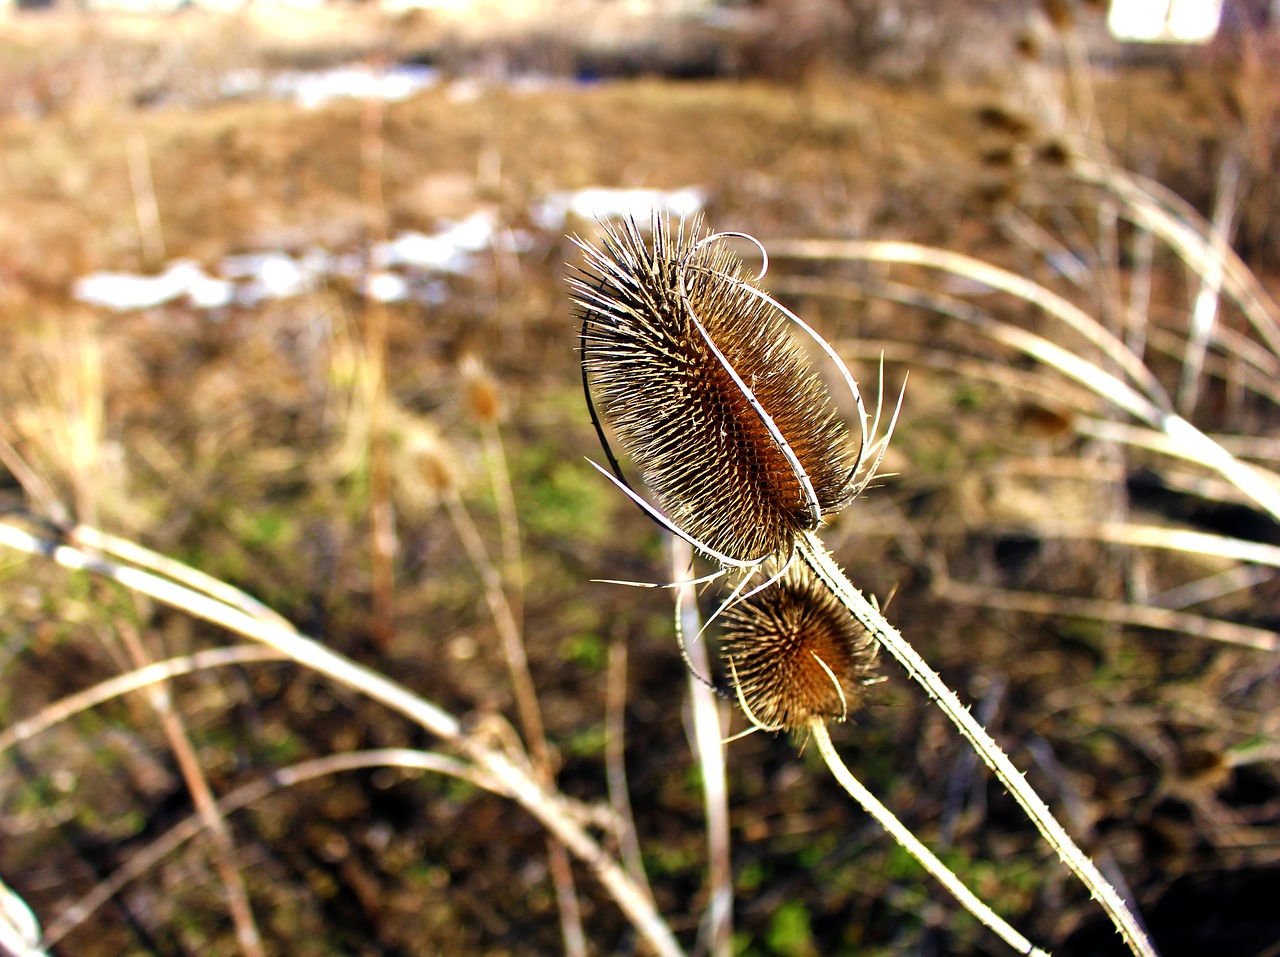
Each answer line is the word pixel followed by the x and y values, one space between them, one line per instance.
pixel 513 777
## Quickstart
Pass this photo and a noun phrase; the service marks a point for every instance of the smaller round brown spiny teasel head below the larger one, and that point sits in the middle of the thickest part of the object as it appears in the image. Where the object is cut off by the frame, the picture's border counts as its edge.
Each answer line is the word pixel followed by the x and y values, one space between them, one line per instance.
pixel 797 654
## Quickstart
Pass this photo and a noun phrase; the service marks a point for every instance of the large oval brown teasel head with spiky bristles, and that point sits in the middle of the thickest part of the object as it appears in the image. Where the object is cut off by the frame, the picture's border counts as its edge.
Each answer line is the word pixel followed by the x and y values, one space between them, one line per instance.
pixel 706 455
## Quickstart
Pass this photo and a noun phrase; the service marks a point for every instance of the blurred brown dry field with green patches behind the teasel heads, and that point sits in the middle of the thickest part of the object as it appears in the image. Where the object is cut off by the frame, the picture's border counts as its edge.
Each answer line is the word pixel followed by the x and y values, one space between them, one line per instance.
pixel 408 483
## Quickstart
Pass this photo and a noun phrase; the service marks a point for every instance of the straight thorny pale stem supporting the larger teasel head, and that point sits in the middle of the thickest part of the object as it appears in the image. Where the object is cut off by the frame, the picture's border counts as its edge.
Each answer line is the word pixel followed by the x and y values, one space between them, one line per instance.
pixel 816 556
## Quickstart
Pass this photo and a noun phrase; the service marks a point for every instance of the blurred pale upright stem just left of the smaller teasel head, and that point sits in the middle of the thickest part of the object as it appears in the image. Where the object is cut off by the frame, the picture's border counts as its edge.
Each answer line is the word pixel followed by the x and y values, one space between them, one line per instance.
pixel 710 747
